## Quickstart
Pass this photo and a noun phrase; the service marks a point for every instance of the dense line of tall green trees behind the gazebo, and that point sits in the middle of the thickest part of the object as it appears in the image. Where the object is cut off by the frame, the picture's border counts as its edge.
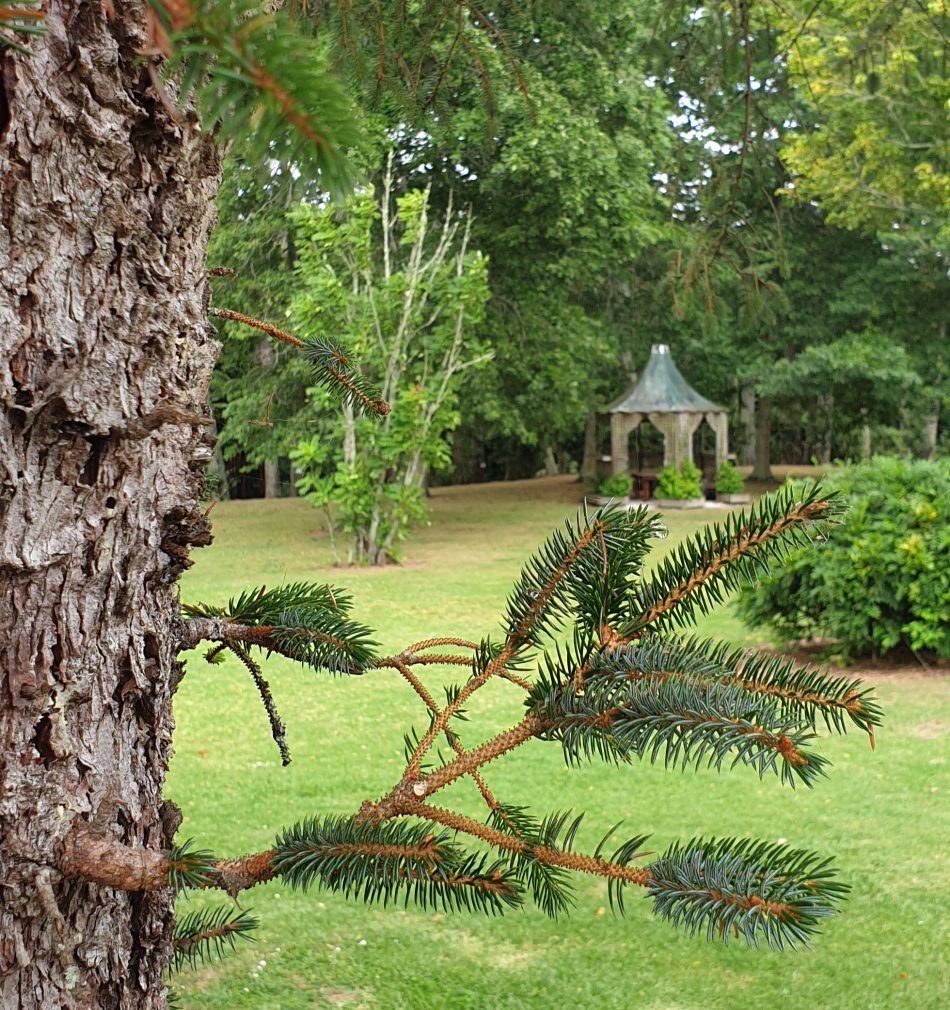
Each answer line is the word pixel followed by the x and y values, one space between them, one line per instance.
pixel 654 174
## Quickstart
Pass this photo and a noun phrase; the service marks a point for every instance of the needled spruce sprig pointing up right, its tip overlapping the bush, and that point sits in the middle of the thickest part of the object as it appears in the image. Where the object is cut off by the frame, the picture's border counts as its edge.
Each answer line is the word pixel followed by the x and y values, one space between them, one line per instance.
pixel 714 563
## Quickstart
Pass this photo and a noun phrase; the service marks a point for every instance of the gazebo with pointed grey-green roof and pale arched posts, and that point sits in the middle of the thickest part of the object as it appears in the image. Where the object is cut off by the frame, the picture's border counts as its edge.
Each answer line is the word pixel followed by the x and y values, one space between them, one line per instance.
pixel 665 398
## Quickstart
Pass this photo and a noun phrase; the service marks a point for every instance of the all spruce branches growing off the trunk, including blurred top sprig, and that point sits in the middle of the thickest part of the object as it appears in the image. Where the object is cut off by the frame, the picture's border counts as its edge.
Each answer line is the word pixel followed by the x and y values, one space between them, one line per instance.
pixel 587 639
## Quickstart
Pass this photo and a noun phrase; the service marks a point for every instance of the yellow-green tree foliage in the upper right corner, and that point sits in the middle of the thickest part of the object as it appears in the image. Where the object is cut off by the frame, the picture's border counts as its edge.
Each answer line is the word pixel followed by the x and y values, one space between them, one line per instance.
pixel 877 77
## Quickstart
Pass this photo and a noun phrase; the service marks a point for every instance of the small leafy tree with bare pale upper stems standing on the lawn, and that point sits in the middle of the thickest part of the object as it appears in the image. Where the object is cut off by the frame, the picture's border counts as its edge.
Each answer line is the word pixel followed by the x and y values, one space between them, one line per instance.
pixel 403 291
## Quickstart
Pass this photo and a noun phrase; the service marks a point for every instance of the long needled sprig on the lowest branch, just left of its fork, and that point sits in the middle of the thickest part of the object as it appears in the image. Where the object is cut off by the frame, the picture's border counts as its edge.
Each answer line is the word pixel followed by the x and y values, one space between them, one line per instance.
pixel 386 862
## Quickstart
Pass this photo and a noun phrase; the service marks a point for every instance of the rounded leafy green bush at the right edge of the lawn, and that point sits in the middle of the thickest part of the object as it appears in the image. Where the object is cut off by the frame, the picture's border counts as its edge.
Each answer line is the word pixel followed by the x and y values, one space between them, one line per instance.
pixel 883 580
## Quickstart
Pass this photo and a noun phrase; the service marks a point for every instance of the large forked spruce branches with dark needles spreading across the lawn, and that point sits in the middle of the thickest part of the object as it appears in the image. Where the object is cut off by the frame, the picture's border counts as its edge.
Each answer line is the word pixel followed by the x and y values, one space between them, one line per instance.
pixel 587 640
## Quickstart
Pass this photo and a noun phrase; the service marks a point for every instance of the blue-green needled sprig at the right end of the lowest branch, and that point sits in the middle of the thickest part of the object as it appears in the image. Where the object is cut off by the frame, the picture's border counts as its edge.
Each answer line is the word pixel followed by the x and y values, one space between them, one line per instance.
pixel 752 889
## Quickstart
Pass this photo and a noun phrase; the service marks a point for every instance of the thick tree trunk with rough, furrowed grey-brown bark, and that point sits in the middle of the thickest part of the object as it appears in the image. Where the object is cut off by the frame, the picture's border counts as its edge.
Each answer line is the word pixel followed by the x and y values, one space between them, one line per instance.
pixel 105 208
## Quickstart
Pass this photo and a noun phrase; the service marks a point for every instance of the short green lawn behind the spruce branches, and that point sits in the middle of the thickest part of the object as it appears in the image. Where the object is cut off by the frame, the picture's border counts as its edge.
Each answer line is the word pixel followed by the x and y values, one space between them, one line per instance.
pixel 884 815
